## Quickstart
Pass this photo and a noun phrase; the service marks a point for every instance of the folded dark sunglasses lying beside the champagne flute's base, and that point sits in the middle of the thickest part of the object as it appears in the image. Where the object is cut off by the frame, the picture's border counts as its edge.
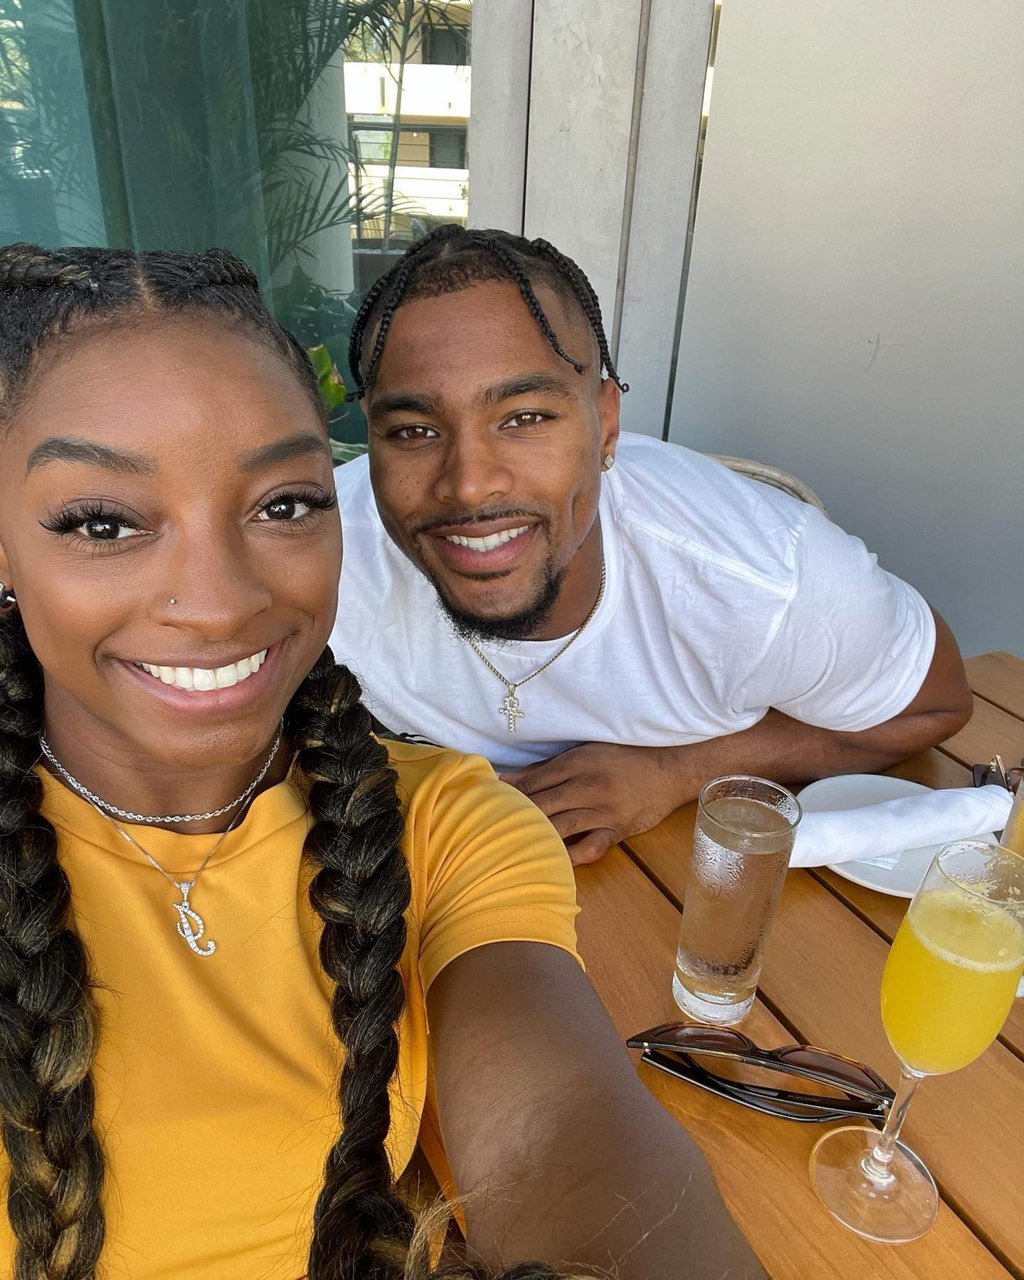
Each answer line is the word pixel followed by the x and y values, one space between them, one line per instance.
pixel 858 1090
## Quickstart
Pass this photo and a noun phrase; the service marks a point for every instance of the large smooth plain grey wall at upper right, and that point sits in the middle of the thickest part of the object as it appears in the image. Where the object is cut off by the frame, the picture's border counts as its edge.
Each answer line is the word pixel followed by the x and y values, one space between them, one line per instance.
pixel 856 300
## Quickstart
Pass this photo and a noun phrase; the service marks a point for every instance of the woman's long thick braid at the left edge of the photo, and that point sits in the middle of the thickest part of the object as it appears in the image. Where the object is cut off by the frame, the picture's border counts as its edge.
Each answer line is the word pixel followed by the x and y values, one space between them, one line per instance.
pixel 48 1026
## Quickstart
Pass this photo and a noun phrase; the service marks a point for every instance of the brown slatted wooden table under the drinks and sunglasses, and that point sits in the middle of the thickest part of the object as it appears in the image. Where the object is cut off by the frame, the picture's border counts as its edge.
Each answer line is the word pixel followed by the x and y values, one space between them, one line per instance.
pixel 821 986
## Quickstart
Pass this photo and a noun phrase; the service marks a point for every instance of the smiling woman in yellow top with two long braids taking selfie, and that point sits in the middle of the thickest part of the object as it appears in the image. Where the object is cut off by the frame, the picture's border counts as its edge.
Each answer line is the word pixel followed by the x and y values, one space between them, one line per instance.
pixel 227 908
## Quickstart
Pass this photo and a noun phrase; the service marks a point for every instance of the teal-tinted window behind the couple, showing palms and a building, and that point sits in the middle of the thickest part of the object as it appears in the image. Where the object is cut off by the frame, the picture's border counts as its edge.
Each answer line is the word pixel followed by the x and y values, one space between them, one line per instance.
pixel 316 140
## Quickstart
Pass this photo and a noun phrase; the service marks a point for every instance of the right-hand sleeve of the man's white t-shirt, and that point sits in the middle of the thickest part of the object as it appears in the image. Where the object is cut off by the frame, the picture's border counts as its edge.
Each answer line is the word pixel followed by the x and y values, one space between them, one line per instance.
pixel 854 643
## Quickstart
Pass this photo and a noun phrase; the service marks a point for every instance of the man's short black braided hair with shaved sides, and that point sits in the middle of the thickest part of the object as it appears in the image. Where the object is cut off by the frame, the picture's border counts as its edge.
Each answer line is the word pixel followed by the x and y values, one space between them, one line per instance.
pixel 452 258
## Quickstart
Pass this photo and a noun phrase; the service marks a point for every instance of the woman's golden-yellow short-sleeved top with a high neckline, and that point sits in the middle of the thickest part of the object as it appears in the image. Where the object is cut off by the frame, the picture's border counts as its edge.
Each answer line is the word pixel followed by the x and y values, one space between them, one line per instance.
pixel 216 1078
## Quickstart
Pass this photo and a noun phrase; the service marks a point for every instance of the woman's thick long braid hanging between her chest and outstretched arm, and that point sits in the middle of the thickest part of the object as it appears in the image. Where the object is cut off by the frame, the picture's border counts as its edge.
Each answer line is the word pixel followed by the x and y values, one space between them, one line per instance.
pixel 362 894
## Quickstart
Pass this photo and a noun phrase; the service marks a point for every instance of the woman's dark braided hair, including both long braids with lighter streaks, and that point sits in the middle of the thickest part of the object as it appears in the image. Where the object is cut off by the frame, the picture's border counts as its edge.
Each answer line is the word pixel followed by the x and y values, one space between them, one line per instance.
pixel 362 1229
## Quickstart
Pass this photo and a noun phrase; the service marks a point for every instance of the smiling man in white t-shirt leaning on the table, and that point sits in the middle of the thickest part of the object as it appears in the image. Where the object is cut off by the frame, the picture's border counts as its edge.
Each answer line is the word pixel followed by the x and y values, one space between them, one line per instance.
pixel 609 619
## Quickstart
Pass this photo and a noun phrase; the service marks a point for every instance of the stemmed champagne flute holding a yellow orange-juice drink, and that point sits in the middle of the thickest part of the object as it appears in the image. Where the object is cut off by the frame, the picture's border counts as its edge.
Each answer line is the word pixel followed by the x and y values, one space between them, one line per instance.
pixel 947 990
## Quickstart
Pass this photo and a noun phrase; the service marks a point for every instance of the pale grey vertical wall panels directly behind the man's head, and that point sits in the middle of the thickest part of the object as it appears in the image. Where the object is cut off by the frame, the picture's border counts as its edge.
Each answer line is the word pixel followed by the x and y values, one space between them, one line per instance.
pixel 598 158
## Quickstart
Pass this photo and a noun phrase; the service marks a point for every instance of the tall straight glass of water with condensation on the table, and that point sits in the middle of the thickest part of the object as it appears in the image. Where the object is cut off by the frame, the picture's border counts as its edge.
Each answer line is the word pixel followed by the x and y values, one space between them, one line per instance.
pixel 744 835
